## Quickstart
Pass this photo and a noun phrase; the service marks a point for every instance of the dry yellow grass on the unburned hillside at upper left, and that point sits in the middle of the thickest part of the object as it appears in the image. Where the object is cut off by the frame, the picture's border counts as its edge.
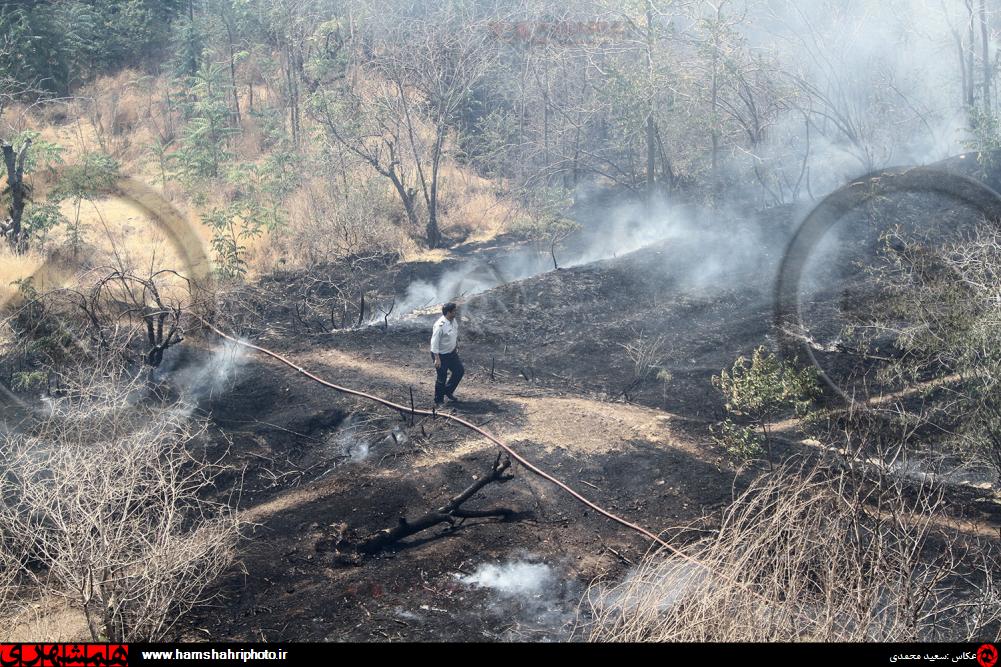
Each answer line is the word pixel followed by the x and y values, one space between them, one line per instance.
pixel 126 115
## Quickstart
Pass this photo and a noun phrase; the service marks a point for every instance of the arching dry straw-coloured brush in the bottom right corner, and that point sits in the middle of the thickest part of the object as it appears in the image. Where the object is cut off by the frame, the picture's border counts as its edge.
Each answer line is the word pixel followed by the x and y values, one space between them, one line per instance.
pixel 810 556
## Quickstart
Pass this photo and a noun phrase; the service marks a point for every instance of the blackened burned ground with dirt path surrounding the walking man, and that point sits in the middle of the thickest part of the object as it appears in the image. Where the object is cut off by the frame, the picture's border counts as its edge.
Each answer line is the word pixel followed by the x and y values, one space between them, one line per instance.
pixel 549 372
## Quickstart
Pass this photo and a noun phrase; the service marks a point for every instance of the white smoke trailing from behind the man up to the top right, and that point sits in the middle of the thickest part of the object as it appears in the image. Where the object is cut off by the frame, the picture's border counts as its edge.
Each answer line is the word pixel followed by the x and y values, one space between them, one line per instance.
pixel 885 91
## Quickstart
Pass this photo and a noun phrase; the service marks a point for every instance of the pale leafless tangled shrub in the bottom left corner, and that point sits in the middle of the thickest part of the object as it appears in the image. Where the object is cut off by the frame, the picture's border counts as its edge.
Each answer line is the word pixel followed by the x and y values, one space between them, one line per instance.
pixel 108 497
